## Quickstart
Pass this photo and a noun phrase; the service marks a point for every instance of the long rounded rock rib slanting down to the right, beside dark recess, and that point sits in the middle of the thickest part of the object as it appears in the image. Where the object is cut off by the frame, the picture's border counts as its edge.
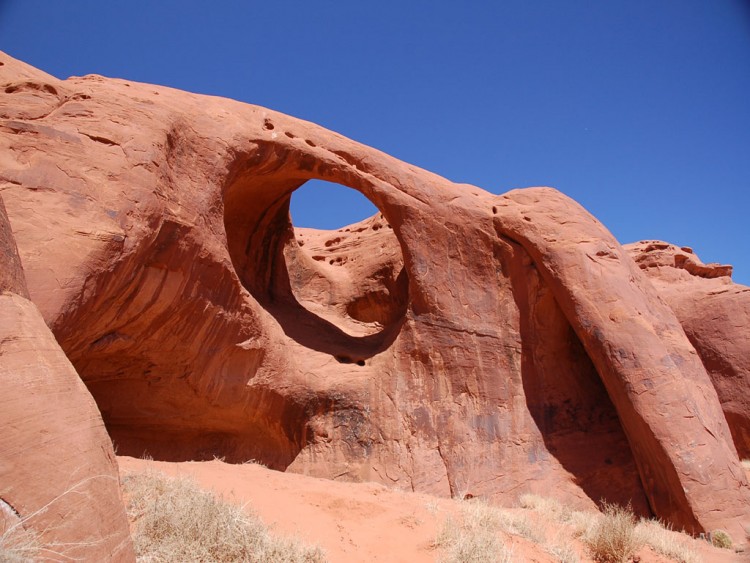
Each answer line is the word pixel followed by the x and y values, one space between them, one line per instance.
pixel 663 395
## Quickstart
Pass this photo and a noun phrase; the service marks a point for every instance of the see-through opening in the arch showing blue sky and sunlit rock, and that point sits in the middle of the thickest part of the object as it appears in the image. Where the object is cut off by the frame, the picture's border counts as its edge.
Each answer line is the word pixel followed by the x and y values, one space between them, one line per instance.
pixel 353 275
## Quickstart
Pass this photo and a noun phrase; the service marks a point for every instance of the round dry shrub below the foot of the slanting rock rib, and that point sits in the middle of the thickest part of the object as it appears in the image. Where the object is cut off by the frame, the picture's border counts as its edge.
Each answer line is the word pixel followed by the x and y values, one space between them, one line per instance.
pixel 613 539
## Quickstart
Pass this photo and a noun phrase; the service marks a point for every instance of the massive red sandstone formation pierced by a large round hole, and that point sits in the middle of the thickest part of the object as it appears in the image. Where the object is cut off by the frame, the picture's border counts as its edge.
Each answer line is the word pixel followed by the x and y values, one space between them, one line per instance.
pixel 456 343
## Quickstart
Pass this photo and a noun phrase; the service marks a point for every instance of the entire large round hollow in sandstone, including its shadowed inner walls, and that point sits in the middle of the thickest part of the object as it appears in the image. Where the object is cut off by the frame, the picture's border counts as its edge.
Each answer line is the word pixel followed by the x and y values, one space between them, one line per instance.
pixel 342 291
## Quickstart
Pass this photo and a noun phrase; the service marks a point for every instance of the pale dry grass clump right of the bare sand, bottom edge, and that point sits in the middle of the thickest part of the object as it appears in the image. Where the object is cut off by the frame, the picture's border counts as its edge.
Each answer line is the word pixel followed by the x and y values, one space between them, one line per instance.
pixel 473 536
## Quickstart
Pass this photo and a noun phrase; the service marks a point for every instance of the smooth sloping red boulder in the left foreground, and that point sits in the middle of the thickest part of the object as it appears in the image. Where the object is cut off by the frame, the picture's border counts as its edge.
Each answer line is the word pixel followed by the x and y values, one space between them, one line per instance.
pixel 58 475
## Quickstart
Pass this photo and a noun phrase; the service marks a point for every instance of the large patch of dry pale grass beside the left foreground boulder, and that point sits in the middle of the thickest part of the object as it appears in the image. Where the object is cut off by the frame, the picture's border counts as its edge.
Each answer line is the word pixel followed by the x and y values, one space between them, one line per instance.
pixel 174 520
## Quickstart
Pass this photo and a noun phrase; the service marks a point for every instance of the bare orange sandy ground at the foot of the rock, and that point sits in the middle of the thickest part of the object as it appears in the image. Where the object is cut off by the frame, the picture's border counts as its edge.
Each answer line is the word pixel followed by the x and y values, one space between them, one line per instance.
pixel 351 521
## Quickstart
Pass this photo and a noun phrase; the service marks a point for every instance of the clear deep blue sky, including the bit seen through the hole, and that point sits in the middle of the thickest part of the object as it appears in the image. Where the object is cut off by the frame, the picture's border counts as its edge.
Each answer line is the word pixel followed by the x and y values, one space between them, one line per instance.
pixel 638 109
